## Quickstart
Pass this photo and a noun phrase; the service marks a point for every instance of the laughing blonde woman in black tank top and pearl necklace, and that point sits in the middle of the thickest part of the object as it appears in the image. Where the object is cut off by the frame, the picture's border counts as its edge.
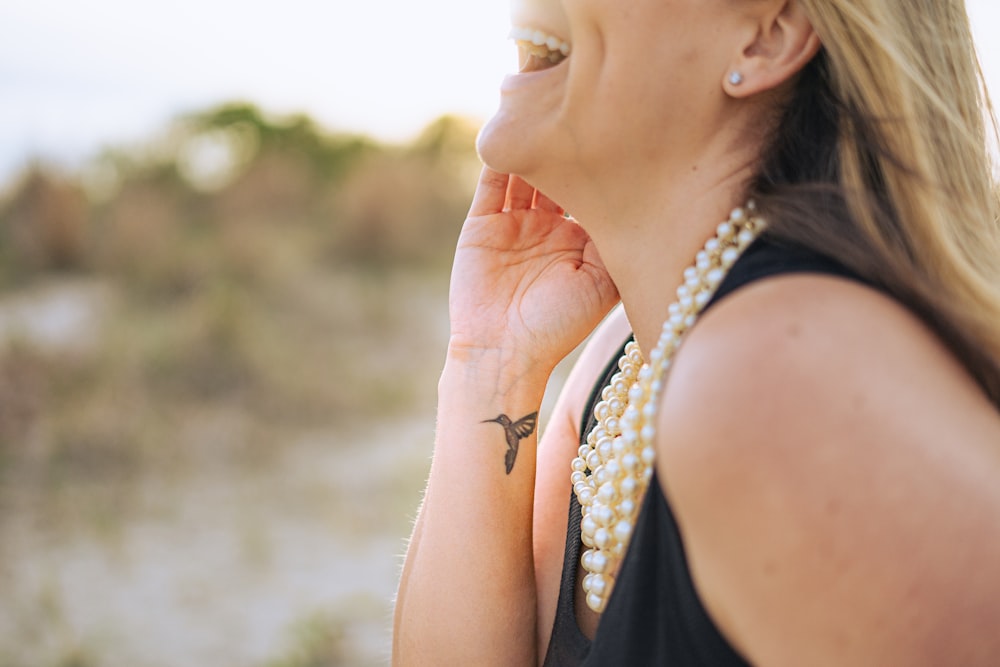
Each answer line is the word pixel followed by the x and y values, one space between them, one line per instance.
pixel 813 477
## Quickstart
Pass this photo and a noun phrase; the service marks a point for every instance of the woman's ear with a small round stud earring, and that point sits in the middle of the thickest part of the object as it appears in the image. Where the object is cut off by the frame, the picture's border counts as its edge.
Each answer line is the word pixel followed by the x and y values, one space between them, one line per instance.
pixel 780 44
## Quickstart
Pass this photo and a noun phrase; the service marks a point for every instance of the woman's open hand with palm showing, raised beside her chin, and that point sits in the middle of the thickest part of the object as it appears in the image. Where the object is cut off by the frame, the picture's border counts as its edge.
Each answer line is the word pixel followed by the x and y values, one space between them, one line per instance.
pixel 526 280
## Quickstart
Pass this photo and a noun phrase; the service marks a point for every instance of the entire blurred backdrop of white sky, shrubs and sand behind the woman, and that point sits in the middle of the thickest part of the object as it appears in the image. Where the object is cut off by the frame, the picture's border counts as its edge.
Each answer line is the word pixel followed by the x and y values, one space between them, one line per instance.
pixel 225 233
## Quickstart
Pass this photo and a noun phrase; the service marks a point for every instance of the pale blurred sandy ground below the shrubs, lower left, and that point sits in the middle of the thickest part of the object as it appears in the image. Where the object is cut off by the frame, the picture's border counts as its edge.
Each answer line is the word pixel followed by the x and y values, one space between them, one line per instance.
pixel 229 564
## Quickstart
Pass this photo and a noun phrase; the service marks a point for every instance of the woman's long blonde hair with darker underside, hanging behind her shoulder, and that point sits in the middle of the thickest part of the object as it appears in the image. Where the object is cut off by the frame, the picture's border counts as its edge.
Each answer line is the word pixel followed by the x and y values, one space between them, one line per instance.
pixel 882 161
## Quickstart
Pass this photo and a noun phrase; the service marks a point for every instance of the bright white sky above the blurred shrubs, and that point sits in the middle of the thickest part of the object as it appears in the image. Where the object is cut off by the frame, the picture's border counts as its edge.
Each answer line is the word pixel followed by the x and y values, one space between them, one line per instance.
pixel 76 76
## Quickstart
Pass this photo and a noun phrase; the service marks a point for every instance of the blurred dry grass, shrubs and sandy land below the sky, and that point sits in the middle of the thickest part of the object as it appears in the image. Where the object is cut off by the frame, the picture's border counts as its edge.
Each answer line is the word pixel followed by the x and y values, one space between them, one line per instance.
pixel 252 335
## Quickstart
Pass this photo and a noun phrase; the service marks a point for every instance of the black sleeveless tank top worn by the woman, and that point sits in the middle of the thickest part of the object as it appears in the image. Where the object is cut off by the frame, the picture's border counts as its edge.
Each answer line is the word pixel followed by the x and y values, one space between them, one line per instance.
pixel 654 616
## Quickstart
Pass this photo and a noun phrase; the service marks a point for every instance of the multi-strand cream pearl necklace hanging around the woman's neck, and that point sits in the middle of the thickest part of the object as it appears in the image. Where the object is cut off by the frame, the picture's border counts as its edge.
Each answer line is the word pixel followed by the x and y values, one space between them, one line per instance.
pixel 619 451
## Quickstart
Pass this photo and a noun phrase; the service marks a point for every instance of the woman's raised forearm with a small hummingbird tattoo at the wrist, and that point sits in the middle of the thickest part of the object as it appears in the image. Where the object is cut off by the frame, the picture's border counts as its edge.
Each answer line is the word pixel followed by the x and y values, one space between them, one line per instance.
pixel 467 592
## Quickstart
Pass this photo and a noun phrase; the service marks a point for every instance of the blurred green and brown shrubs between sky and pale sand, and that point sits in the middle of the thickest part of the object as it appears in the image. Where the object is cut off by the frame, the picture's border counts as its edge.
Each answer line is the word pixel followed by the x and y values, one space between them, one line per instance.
pixel 254 271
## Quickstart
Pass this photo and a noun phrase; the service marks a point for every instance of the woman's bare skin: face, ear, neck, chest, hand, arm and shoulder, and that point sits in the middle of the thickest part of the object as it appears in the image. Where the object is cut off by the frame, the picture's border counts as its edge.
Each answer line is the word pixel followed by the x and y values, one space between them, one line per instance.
pixel 840 509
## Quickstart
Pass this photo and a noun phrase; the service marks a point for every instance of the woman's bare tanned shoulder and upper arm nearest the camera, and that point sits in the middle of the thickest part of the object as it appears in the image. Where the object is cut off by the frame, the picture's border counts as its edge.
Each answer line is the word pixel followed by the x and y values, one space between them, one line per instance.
pixel 836 476
